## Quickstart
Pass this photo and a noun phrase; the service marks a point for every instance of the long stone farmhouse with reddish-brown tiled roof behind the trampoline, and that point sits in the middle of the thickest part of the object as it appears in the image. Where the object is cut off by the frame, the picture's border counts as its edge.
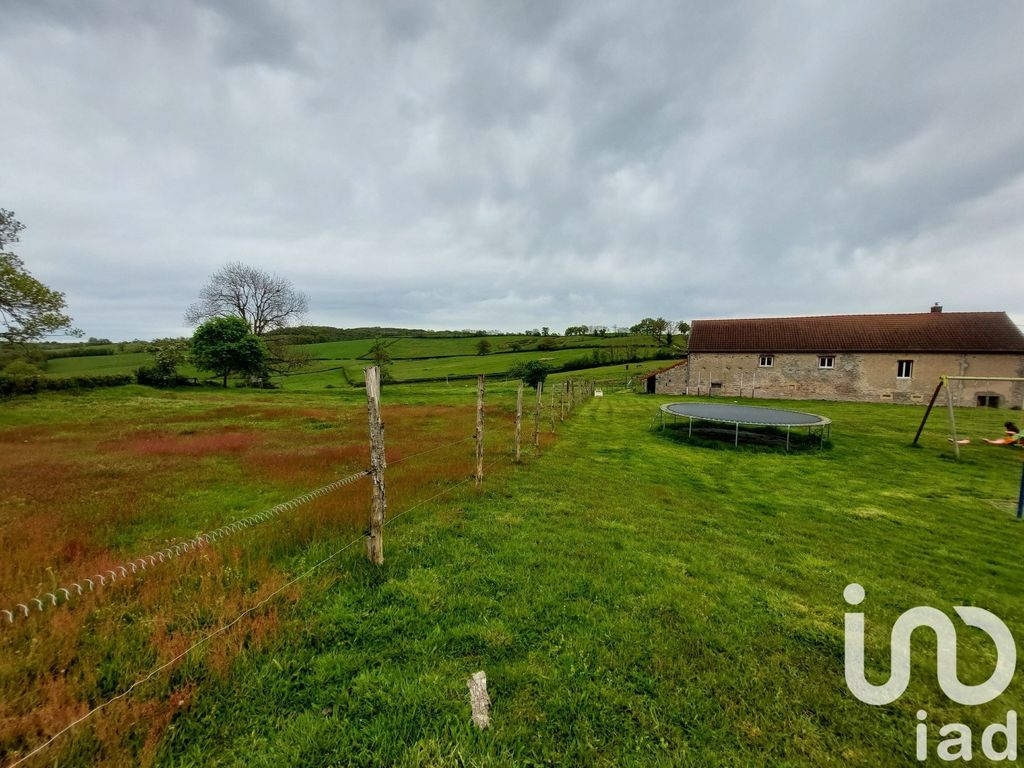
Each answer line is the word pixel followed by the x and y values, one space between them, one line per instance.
pixel 865 358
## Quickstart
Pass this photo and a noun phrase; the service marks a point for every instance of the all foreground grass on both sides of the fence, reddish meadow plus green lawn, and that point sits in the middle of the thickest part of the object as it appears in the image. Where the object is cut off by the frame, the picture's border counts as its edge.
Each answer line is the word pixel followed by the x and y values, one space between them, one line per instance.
pixel 633 601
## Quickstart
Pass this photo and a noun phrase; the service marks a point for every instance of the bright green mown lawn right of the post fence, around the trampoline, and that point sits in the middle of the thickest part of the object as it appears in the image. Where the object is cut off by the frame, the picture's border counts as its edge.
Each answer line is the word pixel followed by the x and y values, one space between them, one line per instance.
pixel 635 602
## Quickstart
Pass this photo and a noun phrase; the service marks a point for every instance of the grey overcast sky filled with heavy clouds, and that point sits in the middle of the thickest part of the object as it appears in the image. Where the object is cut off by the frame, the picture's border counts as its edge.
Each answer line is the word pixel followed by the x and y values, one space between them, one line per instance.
pixel 511 165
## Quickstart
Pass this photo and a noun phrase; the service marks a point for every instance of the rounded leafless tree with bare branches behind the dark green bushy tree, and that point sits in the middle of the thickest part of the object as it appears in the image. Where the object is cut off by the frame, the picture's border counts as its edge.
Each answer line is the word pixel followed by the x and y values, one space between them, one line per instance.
pixel 265 302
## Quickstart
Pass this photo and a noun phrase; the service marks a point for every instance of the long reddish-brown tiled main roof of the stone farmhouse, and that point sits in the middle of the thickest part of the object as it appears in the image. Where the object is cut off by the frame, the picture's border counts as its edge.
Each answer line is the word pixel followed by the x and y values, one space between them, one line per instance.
pixel 921 332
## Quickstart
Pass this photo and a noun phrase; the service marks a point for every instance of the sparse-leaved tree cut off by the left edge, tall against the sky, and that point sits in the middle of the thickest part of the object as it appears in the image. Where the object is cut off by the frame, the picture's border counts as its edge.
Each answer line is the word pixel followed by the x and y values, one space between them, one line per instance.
pixel 29 311
